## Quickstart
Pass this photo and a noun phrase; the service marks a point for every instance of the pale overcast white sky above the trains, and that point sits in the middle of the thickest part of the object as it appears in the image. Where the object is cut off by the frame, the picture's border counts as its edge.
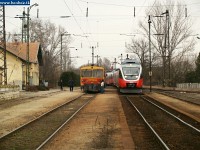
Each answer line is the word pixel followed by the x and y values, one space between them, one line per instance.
pixel 110 25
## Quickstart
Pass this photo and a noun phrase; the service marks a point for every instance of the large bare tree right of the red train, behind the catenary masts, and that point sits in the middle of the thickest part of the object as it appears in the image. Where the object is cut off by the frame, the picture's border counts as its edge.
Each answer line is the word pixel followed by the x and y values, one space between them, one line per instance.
pixel 170 30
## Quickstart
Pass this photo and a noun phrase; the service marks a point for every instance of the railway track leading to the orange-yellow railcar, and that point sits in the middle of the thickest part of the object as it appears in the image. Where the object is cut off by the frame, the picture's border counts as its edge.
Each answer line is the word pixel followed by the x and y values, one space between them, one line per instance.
pixel 36 133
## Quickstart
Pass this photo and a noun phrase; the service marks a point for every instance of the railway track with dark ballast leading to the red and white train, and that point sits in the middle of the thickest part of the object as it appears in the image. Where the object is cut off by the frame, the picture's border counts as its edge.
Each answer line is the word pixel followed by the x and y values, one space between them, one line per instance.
pixel 167 131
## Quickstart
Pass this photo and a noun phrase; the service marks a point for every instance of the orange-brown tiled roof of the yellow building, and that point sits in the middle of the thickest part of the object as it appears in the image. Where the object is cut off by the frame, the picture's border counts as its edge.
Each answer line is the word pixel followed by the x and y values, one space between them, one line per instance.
pixel 19 49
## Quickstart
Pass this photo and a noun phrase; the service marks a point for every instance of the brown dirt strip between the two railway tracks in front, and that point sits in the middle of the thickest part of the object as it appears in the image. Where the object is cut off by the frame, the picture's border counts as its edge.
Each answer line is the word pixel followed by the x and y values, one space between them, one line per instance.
pixel 101 125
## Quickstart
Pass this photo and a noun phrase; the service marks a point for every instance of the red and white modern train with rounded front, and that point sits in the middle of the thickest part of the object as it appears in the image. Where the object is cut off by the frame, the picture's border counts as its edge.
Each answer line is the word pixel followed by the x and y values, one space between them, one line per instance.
pixel 128 77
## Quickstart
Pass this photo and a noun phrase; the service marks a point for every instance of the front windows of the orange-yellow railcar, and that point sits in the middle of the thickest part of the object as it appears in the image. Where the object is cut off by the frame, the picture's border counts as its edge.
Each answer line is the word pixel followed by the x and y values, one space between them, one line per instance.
pixel 92 73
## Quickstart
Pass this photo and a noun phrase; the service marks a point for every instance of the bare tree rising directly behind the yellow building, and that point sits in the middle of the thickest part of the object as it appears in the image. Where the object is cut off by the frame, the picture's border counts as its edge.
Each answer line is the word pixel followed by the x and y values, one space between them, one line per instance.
pixel 49 37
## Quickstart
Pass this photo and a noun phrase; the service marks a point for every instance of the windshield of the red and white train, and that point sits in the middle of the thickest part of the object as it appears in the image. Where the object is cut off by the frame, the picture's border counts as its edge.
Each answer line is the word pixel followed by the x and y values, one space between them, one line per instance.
pixel 131 73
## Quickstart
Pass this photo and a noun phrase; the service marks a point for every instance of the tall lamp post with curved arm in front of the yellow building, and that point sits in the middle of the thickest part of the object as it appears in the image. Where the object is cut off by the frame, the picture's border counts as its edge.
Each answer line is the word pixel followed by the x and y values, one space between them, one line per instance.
pixel 28 47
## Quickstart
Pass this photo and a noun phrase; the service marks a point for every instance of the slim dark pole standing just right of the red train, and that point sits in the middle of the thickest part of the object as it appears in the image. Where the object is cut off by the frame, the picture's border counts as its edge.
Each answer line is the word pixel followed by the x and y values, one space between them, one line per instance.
pixel 150 72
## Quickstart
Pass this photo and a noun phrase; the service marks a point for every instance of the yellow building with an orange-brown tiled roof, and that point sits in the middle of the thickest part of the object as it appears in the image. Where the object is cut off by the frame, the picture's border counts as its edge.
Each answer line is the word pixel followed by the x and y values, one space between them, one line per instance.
pixel 16 63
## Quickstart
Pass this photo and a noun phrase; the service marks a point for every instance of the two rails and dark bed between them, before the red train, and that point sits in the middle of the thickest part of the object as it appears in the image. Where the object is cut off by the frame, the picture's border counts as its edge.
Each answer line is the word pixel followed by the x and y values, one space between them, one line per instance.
pixel 148 110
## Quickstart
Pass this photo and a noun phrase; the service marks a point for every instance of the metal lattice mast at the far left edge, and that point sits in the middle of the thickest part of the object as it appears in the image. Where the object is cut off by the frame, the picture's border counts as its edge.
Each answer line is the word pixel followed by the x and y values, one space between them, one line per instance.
pixel 3 68
